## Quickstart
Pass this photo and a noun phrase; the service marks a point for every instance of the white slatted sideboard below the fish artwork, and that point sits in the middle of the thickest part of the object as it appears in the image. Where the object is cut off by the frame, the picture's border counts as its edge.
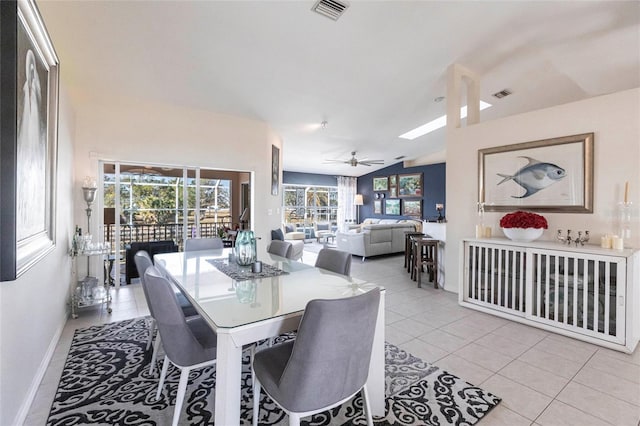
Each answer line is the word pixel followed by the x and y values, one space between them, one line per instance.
pixel 585 292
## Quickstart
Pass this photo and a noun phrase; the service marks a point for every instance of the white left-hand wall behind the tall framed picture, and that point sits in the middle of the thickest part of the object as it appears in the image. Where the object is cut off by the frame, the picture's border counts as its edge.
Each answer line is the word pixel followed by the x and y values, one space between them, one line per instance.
pixel 33 308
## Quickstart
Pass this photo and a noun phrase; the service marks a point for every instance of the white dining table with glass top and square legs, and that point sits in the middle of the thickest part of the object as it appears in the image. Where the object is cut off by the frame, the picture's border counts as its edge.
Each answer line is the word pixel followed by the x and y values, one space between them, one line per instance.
pixel 245 307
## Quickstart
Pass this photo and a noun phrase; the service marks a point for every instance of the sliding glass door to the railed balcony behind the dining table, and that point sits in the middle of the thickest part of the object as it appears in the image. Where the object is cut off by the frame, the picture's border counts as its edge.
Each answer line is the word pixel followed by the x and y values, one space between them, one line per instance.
pixel 145 203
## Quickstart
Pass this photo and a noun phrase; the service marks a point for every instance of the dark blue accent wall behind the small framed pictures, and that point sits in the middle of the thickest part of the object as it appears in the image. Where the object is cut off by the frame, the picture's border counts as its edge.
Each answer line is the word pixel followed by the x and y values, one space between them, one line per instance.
pixel 433 182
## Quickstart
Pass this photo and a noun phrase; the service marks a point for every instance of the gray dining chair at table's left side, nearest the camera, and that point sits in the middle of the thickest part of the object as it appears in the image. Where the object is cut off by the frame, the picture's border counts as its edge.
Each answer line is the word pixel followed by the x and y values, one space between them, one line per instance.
pixel 188 343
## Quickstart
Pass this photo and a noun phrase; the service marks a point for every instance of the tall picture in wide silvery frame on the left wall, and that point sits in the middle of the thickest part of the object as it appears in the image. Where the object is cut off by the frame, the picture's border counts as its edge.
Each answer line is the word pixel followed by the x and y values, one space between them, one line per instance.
pixel 29 97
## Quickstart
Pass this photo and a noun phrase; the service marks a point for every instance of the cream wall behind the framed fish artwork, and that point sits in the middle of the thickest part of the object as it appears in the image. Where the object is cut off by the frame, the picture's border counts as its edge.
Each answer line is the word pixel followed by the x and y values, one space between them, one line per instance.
pixel 615 121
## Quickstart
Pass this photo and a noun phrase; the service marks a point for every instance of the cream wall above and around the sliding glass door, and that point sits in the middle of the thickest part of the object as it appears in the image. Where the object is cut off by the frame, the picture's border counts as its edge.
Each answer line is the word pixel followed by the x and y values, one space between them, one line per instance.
pixel 118 129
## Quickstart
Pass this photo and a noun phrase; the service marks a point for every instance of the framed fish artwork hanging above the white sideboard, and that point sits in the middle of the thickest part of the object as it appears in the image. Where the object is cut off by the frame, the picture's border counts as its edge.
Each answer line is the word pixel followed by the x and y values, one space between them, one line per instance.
pixel 551 175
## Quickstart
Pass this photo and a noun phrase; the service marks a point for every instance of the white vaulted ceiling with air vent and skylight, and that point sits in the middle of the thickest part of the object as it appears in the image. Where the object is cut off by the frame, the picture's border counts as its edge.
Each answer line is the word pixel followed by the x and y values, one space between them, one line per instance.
pixel 372 75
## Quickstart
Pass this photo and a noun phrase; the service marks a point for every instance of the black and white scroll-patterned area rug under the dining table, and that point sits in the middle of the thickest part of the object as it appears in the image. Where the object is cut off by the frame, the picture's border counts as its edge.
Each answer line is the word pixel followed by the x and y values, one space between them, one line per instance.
pixel 106 381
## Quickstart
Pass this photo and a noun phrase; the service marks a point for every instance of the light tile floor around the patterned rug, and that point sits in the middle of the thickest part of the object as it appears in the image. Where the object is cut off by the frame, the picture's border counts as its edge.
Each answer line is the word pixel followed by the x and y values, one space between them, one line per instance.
pixel 542 378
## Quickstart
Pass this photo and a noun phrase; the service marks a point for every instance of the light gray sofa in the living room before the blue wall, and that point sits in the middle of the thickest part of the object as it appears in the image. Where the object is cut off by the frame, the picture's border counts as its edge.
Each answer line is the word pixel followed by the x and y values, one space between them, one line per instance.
pixel 376 236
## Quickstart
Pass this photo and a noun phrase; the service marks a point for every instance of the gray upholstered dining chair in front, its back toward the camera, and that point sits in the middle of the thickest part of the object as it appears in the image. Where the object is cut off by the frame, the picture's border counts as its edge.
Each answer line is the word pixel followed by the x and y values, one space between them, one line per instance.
pixel 326 365
